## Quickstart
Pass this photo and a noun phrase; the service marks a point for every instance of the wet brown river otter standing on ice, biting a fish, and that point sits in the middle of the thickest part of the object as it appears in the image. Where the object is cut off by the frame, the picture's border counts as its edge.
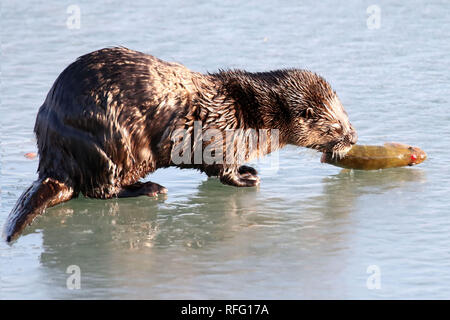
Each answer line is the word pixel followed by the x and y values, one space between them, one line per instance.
pixel 108 119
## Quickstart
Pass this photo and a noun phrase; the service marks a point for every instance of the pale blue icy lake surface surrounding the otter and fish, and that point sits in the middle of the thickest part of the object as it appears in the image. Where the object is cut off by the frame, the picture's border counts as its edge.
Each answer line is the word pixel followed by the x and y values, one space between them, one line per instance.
pixel 310 230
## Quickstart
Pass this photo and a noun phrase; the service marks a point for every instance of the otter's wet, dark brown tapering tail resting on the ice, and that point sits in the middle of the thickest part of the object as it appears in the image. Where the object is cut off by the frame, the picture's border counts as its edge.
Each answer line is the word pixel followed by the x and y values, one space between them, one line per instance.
pixel 43 193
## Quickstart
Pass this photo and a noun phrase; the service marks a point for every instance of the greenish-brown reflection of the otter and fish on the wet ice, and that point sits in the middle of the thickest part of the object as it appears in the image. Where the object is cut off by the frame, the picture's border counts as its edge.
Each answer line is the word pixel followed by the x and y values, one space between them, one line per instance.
pixel 142 243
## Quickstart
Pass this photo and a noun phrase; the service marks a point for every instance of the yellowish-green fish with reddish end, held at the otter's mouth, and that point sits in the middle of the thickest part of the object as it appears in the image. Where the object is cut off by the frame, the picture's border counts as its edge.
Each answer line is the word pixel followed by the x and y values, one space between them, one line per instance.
pixel 373 157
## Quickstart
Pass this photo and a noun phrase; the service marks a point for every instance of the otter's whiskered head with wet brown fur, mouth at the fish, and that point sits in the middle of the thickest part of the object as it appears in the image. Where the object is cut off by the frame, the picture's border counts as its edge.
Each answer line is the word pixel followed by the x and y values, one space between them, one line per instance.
pixel 317 117
